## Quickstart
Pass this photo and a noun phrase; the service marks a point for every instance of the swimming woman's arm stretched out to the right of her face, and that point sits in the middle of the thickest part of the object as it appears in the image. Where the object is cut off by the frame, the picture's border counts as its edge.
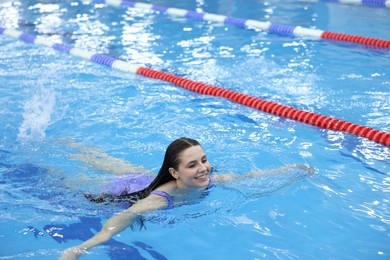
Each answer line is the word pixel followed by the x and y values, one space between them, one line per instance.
pixel 283 169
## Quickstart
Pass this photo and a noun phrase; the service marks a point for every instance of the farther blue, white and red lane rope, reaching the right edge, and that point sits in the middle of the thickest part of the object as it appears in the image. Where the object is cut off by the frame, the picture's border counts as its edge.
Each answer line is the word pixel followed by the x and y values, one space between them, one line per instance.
pixel 279 29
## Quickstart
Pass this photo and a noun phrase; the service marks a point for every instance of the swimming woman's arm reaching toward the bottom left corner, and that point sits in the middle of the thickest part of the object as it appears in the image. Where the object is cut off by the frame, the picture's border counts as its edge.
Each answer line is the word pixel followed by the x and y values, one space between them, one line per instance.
pixel 114 225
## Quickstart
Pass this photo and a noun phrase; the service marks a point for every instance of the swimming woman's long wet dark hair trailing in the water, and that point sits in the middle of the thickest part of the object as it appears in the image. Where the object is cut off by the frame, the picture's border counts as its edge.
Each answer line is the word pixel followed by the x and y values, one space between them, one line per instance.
pixel 171 160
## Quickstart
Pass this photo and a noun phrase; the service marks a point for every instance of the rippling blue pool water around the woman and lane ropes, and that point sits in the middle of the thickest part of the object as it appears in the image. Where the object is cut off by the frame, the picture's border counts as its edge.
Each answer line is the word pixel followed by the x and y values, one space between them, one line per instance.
pixel 49 97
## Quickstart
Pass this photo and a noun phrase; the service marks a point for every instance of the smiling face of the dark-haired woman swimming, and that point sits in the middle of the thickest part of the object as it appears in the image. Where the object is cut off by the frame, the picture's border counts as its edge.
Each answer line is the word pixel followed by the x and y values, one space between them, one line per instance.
pixel 193 170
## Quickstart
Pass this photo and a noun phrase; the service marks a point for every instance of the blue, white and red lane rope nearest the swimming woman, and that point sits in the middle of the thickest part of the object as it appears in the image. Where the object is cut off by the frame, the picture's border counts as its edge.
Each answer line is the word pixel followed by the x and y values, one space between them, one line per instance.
pixel 270 107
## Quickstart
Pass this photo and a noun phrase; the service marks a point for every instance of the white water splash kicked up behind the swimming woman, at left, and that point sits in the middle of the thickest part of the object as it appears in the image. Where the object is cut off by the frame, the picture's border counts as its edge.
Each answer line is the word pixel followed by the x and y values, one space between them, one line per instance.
pixel 37 113
